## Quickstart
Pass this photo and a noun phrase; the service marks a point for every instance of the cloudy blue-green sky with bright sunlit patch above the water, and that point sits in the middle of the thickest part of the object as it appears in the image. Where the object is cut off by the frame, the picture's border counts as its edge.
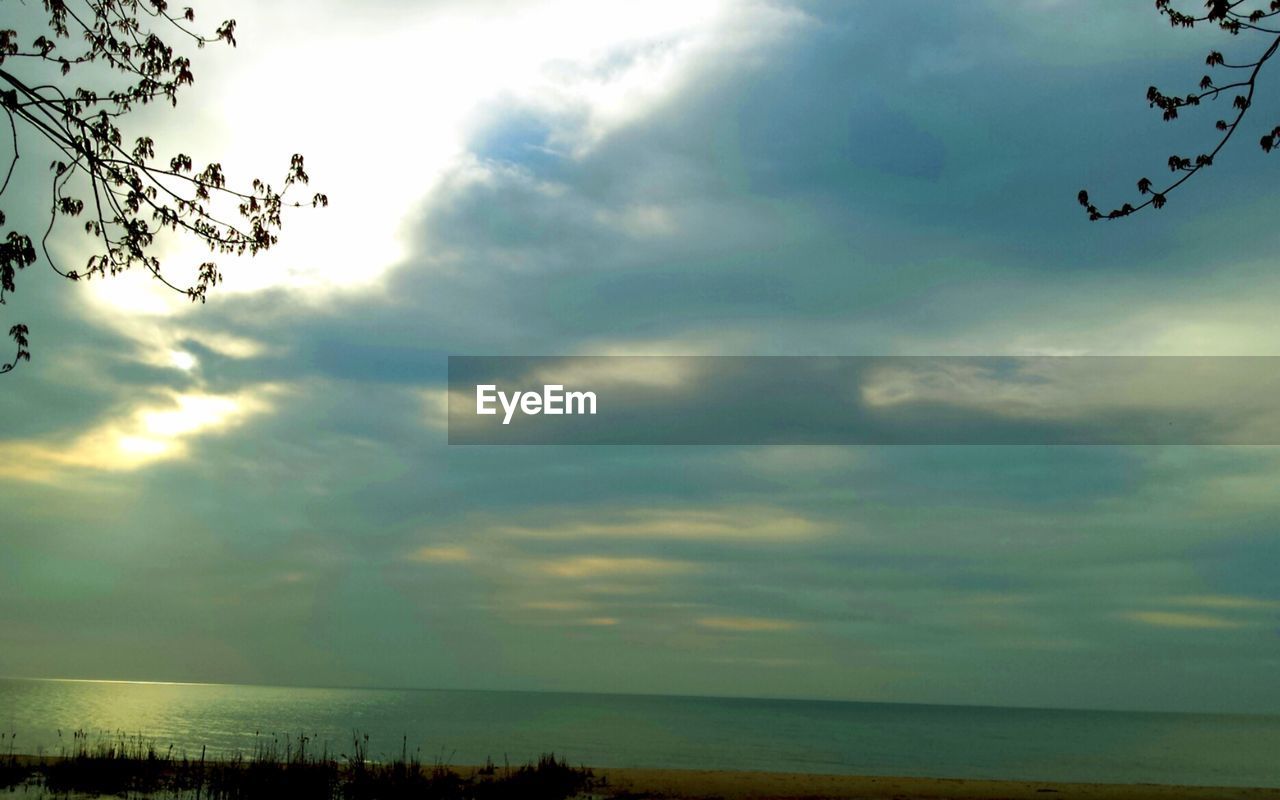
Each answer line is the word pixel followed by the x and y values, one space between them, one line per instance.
pixel 259 490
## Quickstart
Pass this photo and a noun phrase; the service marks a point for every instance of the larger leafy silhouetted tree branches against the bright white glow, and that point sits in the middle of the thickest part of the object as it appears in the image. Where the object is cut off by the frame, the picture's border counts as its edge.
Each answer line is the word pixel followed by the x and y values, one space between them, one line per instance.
pixel 126 195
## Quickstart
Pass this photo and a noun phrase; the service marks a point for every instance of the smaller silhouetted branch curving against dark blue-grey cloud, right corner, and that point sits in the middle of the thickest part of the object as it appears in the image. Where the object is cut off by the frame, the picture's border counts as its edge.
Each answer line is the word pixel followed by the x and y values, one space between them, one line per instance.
pixel 1233 17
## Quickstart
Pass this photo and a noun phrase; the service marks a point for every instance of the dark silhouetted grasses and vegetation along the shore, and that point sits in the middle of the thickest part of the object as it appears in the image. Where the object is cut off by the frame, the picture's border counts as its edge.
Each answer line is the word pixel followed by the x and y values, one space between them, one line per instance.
pixel 134 767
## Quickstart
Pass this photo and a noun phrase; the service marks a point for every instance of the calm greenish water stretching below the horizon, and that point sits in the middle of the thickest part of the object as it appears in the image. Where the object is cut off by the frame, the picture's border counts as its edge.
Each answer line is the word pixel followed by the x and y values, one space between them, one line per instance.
pixel 465 728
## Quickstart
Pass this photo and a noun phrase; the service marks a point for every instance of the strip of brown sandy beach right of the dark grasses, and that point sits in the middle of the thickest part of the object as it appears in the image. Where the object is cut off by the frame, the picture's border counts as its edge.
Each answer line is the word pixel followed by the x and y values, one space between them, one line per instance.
pixel 694 784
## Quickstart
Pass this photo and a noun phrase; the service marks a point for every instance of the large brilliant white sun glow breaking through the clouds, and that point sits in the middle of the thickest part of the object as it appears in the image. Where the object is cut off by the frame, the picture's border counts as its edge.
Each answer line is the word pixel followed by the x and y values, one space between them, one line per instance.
pixel 380 147
